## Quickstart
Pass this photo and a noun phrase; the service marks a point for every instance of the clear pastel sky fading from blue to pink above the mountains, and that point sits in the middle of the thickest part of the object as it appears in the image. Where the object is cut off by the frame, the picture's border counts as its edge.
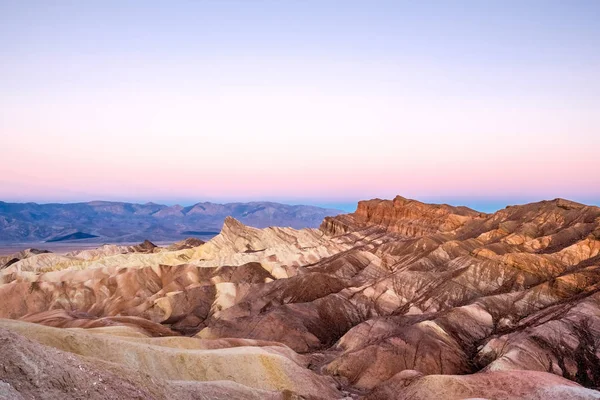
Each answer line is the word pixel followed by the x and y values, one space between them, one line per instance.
pixel 482 103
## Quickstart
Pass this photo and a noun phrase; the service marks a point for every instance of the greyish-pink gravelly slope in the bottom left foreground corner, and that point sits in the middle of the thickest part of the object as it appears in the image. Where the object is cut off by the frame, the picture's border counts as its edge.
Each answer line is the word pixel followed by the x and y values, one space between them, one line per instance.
pixel 32 370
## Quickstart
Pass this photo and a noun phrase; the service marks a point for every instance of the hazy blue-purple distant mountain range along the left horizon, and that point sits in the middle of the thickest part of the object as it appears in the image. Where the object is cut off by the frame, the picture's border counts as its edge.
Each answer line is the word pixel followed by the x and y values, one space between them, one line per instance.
pixel 129 222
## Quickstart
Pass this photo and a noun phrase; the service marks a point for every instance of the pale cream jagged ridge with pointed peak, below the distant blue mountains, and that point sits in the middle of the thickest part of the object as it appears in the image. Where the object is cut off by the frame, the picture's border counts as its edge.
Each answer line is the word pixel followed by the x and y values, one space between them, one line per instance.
pixel 277 249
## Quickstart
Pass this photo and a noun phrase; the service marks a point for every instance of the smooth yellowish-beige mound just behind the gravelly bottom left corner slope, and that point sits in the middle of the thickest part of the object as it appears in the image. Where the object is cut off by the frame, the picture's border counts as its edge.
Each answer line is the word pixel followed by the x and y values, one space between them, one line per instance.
pixel 263 367
